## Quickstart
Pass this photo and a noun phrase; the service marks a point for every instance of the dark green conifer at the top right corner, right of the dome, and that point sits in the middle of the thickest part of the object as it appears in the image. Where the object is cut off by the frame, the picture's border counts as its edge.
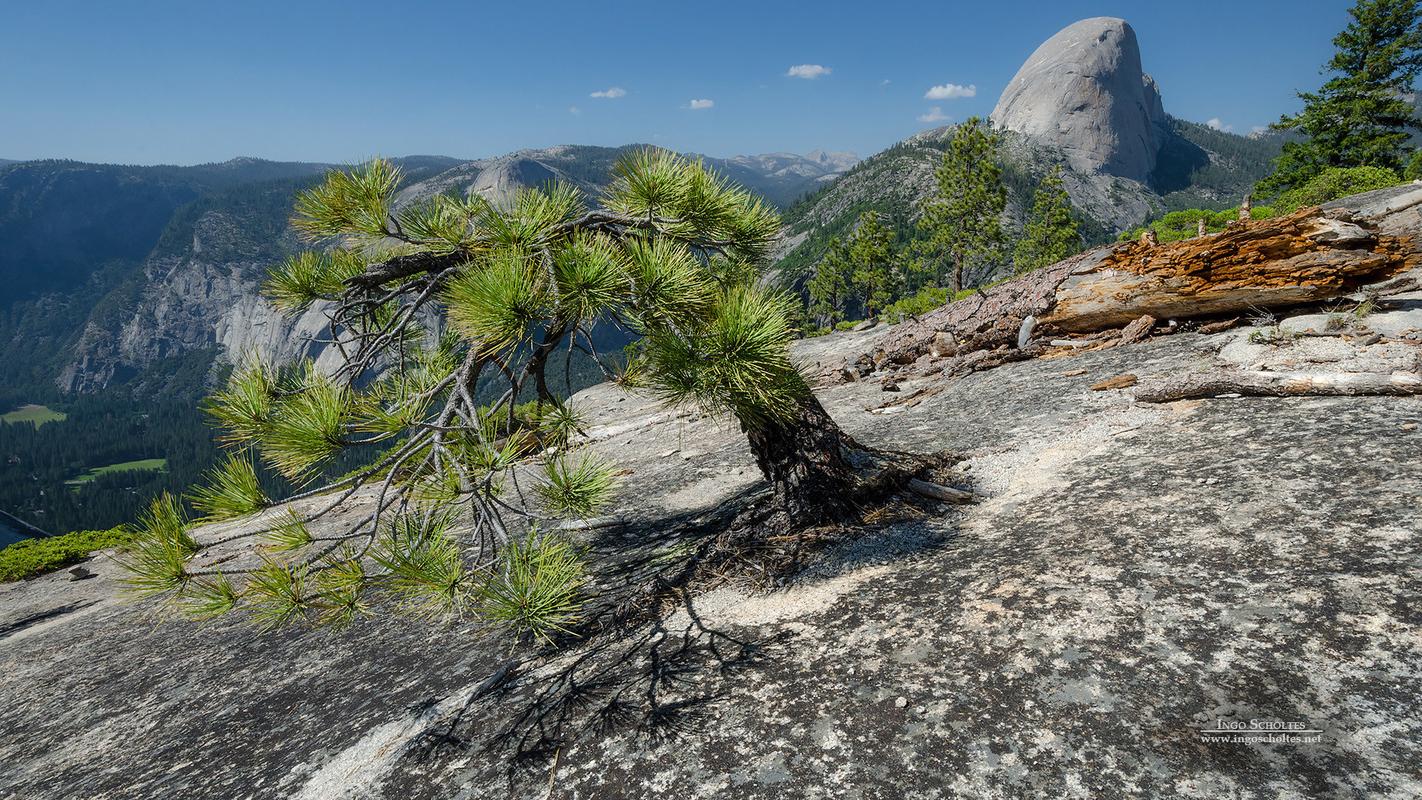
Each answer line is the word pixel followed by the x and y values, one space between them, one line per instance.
pixel 1362 117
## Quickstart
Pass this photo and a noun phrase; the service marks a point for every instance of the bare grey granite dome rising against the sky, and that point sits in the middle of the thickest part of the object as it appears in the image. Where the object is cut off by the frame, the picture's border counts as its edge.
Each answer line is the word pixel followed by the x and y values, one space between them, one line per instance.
pixel 1084 92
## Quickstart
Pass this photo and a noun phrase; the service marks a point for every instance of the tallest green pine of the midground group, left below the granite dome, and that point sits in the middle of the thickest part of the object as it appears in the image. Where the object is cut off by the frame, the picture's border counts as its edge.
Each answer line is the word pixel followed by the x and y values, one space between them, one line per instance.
pixel 961 222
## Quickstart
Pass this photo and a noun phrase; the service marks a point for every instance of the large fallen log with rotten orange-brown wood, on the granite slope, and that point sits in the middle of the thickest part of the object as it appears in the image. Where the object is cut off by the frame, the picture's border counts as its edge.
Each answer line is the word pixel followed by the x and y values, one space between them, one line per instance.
pixel 1306 258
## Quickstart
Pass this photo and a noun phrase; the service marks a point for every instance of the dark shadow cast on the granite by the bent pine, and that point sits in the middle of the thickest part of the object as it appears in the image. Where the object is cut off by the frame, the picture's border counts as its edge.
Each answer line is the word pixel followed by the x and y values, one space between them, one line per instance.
pixel 646 663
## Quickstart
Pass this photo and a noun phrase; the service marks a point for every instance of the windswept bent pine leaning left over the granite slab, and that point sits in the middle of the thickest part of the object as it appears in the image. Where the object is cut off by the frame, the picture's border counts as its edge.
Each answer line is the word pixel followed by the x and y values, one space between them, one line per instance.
pixel 675 256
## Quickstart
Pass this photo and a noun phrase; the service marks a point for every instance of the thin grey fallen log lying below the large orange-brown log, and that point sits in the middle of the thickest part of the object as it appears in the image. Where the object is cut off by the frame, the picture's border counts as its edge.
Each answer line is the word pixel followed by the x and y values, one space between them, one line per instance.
pixel 1282 386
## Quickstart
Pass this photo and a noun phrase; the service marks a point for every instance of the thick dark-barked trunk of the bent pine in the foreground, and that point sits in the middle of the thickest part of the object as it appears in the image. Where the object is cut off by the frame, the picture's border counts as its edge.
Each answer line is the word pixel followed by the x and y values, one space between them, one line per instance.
pixel 804 460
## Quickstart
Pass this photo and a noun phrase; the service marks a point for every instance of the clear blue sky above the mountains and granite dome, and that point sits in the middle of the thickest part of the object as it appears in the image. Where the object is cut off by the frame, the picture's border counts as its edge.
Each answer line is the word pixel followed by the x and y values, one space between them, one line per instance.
pixel 184 83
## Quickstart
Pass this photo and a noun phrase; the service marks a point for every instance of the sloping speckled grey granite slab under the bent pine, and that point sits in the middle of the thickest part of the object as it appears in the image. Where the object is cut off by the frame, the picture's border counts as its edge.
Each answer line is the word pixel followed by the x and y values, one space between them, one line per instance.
pixel 1135 575
